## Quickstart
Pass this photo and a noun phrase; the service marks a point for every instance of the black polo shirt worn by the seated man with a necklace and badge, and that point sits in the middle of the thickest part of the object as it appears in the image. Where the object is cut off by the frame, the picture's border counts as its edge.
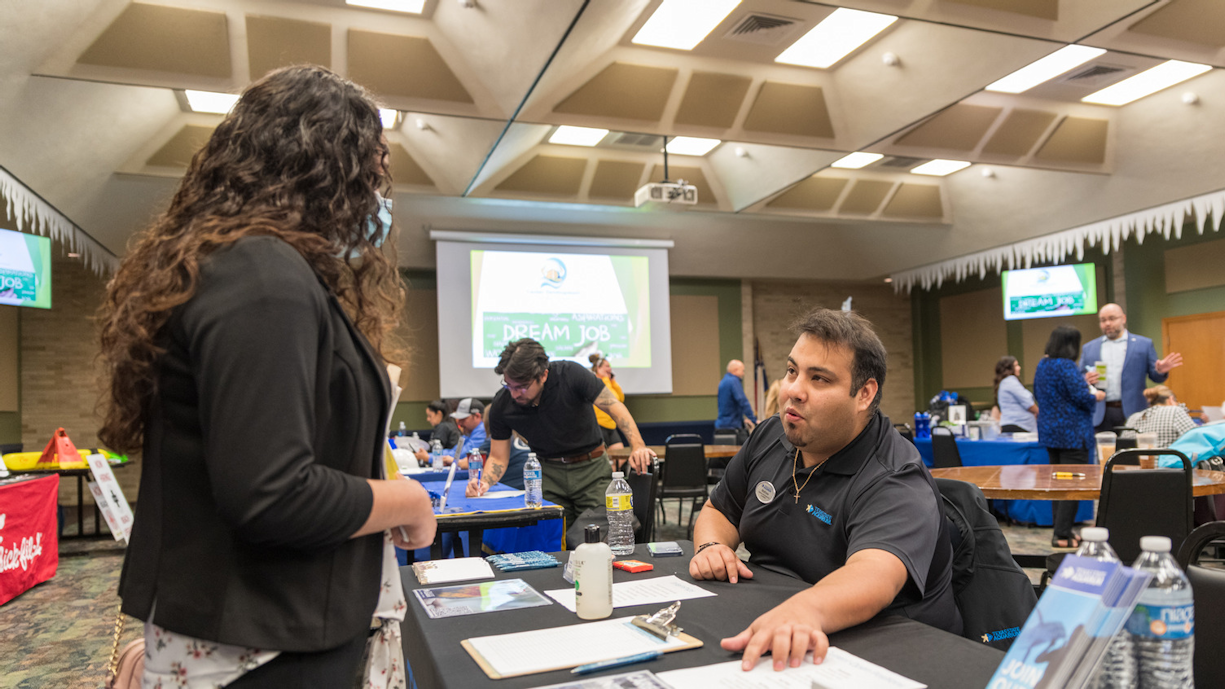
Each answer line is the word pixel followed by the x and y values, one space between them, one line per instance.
pixel 874 493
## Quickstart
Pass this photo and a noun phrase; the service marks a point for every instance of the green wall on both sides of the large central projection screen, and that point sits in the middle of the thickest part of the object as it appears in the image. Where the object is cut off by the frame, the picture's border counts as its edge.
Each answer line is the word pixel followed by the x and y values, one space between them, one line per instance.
pixel 646 409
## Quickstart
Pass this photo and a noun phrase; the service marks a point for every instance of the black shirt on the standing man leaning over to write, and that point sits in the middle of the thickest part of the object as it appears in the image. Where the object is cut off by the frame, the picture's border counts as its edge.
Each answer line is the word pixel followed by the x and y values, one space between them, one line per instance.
pixel 564 424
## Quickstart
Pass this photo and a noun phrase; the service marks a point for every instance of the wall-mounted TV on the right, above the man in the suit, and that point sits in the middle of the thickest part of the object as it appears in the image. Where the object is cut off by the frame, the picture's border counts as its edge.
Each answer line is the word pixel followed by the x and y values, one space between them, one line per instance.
pixel 1055 291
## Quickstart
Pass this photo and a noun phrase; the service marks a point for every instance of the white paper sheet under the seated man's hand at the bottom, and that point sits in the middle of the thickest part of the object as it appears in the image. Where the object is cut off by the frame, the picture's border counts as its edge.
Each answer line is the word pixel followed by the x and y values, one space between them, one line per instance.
pixel 839 671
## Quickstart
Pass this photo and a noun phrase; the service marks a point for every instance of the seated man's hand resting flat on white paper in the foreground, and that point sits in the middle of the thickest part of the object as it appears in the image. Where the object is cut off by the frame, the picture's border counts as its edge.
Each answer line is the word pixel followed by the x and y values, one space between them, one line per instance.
pixel 788 632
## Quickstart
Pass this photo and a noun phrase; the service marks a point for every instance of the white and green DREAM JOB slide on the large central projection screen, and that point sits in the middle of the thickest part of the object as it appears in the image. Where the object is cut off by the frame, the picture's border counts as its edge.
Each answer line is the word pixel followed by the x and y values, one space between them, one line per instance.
pixel 574 305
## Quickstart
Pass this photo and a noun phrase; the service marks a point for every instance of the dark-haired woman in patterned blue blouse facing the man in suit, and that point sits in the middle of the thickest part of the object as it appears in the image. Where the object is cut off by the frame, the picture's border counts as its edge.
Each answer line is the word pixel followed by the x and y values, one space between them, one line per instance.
pixel 1065 417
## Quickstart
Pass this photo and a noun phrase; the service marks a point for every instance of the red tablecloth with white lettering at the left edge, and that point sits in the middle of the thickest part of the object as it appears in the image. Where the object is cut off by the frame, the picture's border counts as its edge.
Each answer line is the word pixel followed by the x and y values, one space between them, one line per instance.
pixel 30 551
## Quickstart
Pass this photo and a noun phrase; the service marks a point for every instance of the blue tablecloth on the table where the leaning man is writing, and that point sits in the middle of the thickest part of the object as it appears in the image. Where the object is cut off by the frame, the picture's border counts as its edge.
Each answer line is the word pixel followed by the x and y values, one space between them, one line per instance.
pixel 545 536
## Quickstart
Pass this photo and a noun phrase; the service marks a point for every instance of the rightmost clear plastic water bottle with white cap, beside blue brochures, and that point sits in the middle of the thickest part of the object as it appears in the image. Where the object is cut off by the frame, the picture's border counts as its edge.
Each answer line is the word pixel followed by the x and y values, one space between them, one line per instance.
pixel 1163 626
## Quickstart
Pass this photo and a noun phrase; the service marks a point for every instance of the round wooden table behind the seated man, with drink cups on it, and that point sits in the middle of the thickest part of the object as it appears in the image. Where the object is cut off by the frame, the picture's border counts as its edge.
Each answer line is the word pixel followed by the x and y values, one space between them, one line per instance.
pixel 1037 482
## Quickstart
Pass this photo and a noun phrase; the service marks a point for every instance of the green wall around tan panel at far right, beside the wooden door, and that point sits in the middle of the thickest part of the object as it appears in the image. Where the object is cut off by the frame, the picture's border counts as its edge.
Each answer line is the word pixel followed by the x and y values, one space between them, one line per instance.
pixel 1147 301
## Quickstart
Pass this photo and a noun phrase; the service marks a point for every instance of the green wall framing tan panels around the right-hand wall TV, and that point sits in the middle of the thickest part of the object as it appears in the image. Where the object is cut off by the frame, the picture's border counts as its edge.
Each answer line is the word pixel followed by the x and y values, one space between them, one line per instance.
pixel 925 319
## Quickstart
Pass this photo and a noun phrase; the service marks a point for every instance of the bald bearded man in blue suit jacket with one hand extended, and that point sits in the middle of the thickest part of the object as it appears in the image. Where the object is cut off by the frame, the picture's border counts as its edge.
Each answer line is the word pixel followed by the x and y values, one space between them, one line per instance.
pixel 1130 360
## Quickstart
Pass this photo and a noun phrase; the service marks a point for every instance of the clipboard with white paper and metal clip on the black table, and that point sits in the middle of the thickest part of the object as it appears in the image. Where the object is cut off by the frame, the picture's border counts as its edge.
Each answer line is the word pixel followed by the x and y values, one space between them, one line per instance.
pixel 553 645
